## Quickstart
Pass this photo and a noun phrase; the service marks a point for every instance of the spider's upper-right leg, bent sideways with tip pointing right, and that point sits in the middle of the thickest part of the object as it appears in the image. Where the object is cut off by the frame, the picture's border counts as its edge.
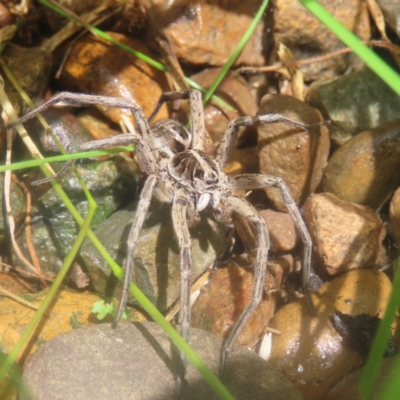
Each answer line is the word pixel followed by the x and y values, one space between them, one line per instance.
pixel 230 135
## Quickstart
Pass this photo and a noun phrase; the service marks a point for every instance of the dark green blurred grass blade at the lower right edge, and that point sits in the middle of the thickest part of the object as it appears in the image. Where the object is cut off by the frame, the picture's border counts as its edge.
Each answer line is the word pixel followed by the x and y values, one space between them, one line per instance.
pixel 381 339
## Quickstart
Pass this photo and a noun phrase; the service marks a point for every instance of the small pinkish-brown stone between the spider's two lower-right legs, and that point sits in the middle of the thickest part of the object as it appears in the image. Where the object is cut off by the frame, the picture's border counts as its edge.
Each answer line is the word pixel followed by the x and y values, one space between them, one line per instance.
pixel 282 230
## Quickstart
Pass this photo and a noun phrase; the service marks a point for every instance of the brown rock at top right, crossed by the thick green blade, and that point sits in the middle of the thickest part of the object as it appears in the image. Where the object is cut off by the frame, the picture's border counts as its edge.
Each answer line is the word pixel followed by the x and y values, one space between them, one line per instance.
pixel 306 37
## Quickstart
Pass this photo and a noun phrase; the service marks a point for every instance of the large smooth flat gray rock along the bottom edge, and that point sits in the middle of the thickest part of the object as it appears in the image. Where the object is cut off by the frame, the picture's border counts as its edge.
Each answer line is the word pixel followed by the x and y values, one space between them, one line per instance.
pixel 134 362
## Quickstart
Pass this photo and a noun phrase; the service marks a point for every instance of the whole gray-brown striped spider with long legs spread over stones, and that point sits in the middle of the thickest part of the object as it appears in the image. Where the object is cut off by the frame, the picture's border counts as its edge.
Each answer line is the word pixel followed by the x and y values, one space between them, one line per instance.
pixel 181 174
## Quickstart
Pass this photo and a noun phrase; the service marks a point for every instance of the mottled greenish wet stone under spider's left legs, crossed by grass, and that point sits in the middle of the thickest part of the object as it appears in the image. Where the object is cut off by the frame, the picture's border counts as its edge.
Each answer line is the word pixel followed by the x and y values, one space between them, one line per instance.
pixel 53 227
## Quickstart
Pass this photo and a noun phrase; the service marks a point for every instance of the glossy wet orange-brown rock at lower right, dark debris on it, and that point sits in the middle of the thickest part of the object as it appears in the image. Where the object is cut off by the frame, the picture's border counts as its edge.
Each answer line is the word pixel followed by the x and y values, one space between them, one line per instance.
pixel 310 352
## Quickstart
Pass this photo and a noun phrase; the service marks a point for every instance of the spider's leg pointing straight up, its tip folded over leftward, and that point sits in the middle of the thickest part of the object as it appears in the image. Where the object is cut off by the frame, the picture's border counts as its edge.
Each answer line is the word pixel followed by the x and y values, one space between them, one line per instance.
pixel 197 127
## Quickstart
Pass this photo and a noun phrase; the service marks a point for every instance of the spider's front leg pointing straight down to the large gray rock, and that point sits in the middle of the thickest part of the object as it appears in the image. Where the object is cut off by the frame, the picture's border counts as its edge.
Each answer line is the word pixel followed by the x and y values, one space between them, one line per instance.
pixel 179 212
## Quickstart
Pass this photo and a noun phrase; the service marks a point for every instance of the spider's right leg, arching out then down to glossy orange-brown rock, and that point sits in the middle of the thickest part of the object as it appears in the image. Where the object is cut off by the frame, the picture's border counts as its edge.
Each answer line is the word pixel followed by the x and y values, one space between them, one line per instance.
pixel 255 181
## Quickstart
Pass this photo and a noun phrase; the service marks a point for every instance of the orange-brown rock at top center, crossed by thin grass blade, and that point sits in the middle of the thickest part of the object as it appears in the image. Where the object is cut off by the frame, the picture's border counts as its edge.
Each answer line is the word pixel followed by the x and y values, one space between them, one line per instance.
pixel 208 32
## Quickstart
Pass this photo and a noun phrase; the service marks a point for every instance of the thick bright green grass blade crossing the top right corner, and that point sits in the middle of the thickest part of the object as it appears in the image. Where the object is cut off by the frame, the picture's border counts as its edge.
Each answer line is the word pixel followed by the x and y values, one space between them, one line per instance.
pixel 386 73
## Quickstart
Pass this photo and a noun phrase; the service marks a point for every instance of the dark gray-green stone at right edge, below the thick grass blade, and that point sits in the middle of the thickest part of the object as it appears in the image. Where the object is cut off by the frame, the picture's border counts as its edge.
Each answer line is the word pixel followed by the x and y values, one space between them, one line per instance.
pixel 354 102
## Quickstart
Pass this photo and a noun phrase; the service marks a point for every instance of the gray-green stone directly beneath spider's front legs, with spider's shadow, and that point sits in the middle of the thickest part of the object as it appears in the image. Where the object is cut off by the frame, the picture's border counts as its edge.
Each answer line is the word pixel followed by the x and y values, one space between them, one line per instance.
pixel 157 258
